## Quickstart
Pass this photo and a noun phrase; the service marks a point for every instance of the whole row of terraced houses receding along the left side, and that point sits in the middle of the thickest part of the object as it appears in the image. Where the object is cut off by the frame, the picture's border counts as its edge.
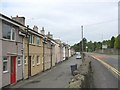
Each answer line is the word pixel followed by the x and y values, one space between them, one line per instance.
pixel 25 52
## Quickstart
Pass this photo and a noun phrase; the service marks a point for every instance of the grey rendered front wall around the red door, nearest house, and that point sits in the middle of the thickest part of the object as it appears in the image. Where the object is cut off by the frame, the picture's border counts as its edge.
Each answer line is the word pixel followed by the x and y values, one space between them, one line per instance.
pixel 10 48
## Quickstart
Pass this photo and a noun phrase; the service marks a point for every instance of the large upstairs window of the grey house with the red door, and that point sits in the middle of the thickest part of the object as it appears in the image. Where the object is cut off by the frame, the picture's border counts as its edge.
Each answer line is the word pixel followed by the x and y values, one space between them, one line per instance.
pixel 8 32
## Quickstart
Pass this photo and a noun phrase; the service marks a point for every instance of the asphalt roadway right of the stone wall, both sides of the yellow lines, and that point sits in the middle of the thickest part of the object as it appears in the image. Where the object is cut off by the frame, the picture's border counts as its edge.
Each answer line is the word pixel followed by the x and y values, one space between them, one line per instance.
pixel 102 76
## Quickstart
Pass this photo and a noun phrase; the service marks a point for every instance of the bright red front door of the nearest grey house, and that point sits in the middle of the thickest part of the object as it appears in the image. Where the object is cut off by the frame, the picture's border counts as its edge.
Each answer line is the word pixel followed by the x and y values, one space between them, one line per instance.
pixel 13 70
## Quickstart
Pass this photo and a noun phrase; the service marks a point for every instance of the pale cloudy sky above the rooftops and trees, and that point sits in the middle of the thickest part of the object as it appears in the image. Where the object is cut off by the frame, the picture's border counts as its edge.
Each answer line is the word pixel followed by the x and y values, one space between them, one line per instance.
pixel 63 18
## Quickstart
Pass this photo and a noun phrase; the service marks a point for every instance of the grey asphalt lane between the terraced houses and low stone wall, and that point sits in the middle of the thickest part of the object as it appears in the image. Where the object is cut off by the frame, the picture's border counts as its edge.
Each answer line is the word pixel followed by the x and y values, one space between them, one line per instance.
pixel 57 77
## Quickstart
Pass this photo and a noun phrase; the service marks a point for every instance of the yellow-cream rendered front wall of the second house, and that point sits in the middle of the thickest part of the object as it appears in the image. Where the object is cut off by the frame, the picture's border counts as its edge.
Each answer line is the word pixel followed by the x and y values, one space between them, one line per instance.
pixel 34 50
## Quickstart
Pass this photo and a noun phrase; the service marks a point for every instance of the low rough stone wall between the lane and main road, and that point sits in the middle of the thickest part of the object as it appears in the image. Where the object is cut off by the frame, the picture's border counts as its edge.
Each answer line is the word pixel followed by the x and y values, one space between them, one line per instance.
pixel 82 78
